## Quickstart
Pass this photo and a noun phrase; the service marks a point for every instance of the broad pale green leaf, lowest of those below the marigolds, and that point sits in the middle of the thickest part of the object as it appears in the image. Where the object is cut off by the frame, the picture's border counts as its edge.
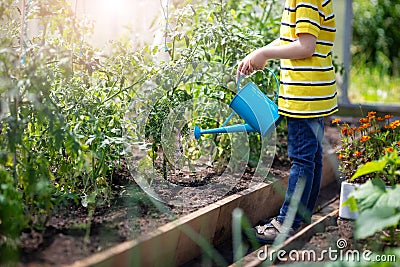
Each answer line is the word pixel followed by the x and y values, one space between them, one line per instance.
pixel 376 219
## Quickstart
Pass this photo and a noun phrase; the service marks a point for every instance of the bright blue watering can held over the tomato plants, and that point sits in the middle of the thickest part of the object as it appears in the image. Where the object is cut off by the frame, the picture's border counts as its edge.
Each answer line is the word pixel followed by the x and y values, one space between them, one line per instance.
pixel 258 111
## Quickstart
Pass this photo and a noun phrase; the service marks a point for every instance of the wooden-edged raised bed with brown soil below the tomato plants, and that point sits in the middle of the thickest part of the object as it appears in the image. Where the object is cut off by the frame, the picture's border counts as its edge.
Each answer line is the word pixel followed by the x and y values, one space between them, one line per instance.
pixel 72 236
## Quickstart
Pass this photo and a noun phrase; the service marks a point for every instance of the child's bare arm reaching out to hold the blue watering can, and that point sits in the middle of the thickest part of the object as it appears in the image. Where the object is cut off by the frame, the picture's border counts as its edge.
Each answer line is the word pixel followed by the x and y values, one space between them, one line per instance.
pixel 303 47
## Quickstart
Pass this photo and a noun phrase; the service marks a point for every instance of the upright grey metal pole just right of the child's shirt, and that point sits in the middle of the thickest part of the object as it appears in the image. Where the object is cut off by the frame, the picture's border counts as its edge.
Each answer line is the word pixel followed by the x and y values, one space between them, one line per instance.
pixel 346 50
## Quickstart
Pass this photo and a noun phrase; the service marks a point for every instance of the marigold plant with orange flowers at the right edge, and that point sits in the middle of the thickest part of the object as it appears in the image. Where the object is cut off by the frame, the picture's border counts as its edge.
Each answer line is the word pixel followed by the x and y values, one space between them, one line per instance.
pixel 371 138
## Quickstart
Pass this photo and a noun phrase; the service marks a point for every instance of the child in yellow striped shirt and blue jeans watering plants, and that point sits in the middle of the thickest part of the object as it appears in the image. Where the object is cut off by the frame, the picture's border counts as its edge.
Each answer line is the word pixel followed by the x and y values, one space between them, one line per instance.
pixel 307 94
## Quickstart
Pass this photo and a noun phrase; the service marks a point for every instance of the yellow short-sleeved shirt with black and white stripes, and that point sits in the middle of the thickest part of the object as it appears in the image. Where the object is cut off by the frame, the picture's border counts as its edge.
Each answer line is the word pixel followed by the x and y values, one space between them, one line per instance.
pixel 308 86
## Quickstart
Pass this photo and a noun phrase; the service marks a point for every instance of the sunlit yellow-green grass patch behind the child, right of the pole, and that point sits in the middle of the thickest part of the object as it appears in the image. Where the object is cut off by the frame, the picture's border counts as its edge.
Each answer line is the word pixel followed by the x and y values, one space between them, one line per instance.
pixel 371 85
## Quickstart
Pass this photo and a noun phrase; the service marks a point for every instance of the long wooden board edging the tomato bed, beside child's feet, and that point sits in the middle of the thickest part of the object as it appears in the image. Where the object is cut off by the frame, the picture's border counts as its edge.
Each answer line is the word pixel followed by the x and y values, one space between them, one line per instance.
pixel 172 245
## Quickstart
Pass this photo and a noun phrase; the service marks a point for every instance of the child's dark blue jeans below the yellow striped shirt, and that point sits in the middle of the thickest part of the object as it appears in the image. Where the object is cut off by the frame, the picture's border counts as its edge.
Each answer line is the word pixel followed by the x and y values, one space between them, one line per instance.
pixel 305 152
